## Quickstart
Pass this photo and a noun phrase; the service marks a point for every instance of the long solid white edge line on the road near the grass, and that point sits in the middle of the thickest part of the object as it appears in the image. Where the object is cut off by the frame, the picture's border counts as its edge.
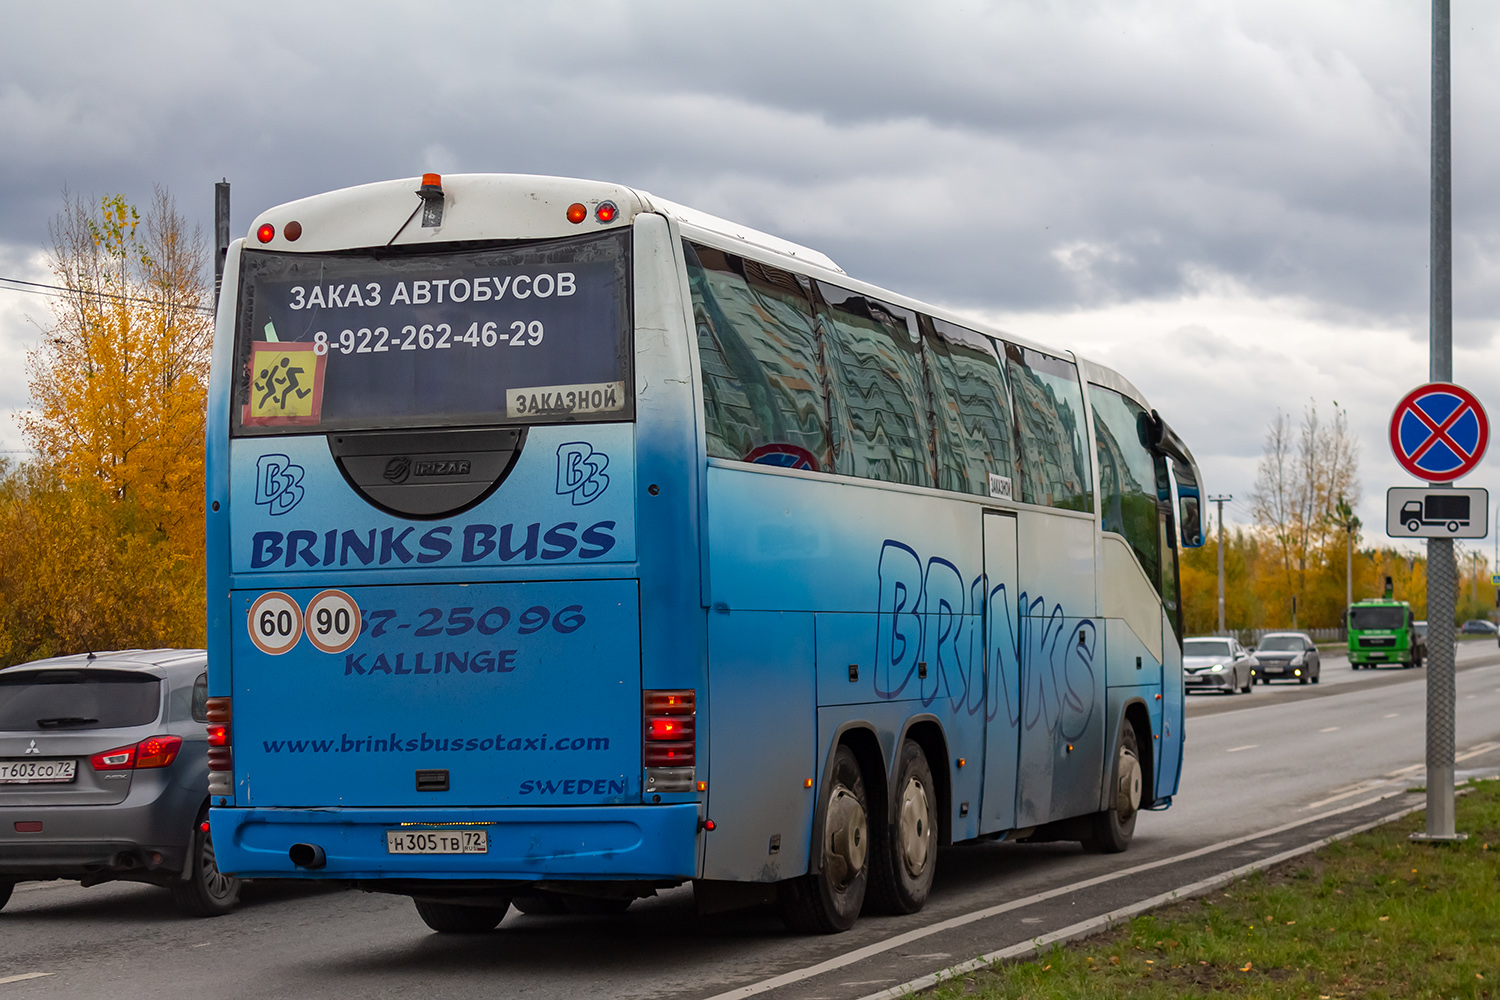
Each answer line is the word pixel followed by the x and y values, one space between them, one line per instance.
pixel 869 951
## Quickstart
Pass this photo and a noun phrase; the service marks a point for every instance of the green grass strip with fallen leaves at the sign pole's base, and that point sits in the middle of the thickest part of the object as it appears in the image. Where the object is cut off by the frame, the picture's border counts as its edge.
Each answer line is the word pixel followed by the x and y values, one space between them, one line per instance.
pixel 1372 917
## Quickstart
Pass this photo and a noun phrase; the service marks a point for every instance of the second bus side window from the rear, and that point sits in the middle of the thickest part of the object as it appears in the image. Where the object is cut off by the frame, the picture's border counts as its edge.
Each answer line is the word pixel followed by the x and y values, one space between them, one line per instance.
pixel 875 367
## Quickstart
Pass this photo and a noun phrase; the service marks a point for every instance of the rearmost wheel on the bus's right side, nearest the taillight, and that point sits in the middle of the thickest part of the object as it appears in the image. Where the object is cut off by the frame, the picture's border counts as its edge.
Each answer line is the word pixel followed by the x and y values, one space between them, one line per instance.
pixel 829 900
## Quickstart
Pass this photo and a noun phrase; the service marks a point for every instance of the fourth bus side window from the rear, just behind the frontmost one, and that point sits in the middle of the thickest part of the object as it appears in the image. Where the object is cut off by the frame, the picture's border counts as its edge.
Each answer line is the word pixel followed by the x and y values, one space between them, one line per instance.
pixel 1049 413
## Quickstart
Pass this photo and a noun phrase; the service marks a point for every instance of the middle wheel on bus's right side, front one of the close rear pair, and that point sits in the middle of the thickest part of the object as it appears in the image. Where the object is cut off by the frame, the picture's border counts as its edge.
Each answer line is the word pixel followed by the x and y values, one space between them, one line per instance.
pixel 904 861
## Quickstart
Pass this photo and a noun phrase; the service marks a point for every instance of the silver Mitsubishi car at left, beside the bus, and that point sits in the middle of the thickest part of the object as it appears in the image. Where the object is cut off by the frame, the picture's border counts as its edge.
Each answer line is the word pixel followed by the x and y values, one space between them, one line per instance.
pixel 104 774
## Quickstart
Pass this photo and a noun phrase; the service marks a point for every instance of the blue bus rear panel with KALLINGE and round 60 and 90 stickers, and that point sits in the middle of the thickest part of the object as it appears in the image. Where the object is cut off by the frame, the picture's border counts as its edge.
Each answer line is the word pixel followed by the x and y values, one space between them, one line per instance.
pixel 518 693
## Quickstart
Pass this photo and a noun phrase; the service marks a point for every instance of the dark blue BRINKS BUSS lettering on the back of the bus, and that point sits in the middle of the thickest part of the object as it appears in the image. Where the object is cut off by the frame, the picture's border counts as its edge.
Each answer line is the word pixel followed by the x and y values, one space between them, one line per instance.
pixel 403 546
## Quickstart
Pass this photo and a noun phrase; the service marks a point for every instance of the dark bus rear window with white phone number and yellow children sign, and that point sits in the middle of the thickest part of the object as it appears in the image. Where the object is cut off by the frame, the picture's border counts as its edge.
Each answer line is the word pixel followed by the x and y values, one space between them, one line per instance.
pixel 377 340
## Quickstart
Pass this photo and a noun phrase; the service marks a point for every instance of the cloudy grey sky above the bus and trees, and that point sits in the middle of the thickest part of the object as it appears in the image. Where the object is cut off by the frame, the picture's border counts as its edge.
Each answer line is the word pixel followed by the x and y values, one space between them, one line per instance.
pixel 1226 202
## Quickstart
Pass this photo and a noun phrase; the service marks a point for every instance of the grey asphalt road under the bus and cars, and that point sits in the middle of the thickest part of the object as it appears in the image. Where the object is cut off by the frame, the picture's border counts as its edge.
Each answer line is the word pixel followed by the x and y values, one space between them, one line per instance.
pixel 1280 756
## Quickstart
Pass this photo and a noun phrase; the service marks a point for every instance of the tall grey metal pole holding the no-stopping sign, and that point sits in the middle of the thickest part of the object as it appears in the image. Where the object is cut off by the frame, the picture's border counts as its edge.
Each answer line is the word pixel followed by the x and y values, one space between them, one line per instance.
pixel 1441 572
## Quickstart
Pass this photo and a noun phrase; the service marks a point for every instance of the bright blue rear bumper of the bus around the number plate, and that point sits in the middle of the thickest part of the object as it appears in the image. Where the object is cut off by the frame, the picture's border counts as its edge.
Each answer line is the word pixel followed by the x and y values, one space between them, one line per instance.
pixel 598 842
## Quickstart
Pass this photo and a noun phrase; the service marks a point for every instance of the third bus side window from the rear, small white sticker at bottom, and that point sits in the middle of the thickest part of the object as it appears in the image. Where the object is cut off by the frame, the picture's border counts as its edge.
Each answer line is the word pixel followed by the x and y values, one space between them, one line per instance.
pixel 976 427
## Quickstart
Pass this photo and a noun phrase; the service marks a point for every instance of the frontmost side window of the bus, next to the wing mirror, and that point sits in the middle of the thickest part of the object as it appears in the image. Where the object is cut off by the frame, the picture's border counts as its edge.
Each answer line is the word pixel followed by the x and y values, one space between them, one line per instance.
pixel 1127 476
